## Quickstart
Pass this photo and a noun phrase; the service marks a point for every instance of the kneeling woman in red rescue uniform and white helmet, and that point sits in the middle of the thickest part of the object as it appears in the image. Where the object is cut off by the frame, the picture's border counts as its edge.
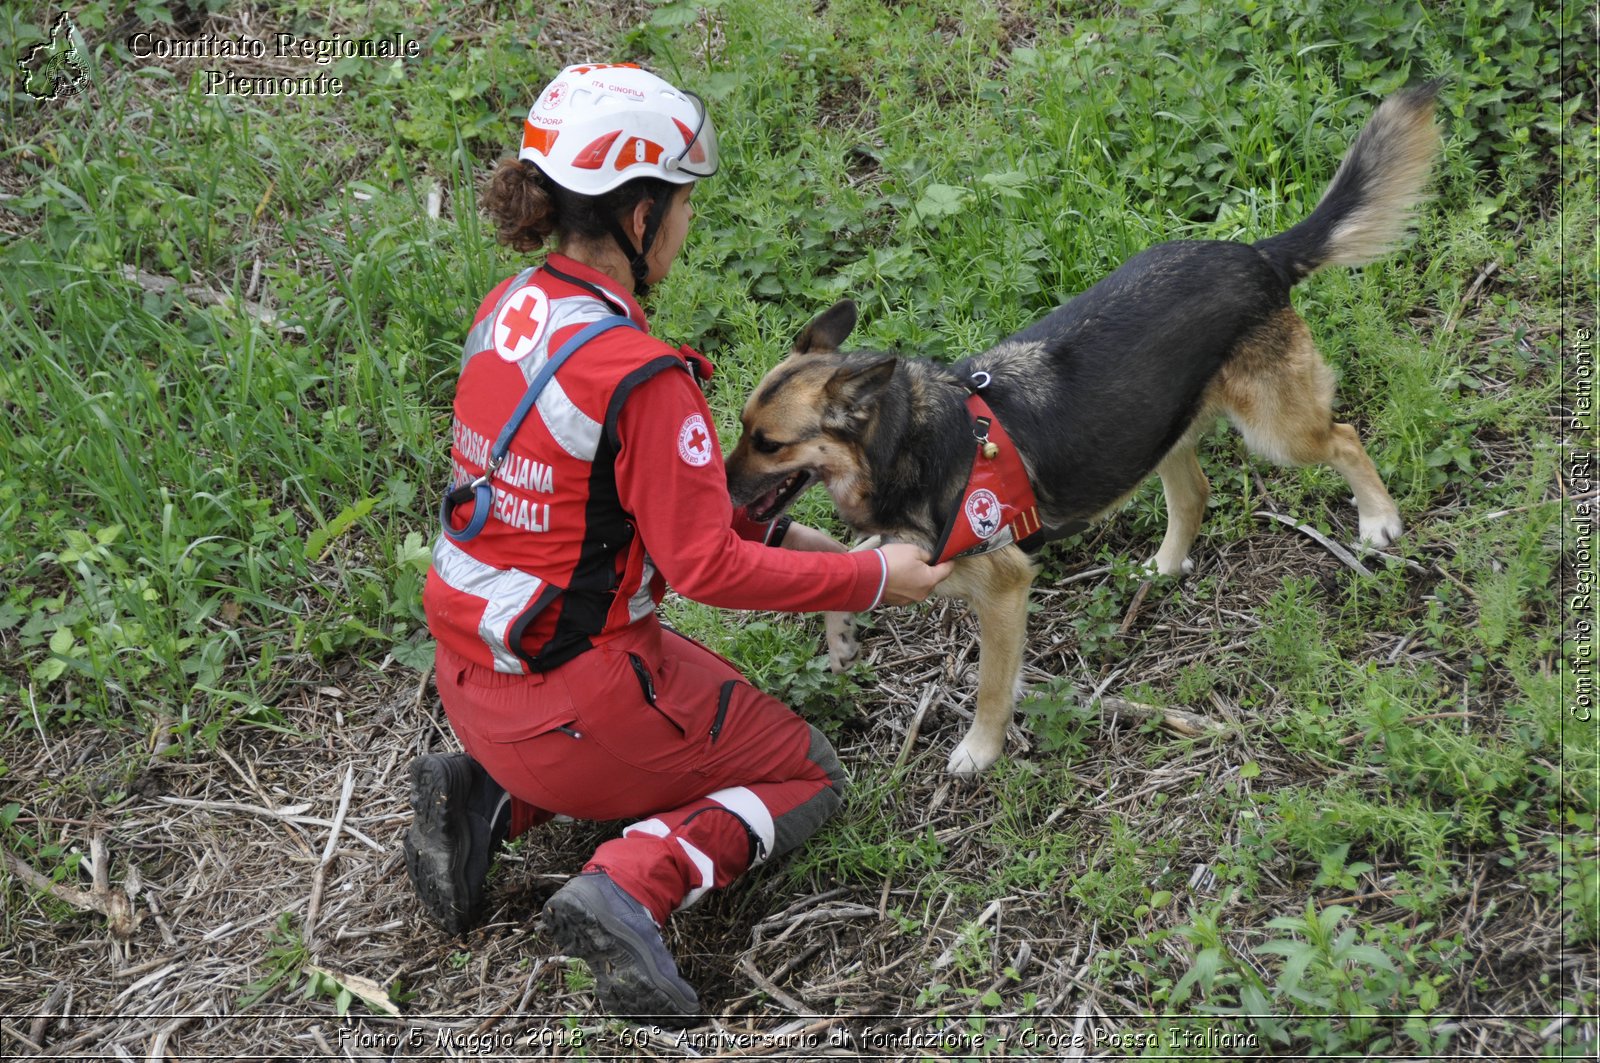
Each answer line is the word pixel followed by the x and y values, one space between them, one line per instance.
pixel 586 479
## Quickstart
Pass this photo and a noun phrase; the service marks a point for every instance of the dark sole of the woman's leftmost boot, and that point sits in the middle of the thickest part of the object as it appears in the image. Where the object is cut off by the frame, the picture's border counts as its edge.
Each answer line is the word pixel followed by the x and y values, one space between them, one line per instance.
pixel 438 867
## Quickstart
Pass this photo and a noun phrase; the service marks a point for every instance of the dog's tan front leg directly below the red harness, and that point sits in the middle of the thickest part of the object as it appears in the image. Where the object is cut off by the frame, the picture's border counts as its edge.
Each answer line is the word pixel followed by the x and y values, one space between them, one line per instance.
pixel 998 588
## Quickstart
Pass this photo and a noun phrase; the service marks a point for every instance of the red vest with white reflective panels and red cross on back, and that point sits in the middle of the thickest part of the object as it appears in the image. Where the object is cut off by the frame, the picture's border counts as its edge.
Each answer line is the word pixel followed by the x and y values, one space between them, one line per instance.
pixel 556 564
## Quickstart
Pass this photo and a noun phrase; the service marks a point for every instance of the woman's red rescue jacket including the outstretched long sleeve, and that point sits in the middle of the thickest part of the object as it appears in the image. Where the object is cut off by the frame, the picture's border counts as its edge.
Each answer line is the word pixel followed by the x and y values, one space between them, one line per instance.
pixel 614 487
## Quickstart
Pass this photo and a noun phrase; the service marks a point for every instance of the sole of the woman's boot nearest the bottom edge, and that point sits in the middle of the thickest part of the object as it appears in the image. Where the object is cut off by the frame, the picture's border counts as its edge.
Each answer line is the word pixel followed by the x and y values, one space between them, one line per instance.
pixel 626 979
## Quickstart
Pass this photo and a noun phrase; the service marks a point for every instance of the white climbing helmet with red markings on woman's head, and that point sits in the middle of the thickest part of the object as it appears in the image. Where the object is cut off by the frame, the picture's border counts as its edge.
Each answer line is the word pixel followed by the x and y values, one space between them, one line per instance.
pixel 599 126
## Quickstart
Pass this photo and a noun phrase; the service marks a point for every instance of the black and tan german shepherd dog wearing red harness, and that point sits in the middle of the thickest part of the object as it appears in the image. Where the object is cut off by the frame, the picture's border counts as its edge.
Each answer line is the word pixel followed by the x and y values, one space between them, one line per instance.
pixel 1118 383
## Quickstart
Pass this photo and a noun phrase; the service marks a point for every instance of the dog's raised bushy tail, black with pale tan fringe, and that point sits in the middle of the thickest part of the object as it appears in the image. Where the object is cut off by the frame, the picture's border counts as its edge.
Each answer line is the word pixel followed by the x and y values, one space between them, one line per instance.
pixel 1369 207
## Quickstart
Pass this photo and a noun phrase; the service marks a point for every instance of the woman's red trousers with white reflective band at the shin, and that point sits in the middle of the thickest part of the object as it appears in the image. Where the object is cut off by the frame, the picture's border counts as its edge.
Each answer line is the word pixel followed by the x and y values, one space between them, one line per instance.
pixel 652 728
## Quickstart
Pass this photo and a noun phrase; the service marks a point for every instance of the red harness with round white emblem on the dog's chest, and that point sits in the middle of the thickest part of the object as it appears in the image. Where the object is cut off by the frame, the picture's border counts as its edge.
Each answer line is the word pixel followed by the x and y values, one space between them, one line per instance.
pixel 998 505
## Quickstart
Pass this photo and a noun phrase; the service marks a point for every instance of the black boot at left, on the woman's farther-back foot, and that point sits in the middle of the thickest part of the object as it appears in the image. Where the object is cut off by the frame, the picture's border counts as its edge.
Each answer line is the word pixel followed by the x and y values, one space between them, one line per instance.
pixel 462 819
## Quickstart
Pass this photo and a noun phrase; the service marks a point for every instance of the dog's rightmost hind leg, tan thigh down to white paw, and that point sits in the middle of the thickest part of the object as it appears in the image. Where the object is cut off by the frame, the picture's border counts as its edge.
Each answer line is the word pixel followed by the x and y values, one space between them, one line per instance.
pixel 1279 395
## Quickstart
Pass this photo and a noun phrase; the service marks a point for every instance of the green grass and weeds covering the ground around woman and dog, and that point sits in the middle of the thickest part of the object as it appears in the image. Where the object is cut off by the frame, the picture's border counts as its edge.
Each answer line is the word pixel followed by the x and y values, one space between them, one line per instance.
pixel 204 513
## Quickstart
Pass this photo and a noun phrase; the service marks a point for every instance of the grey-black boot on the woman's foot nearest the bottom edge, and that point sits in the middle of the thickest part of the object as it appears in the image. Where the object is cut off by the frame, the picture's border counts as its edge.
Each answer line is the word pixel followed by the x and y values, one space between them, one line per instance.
pixel 591 918
